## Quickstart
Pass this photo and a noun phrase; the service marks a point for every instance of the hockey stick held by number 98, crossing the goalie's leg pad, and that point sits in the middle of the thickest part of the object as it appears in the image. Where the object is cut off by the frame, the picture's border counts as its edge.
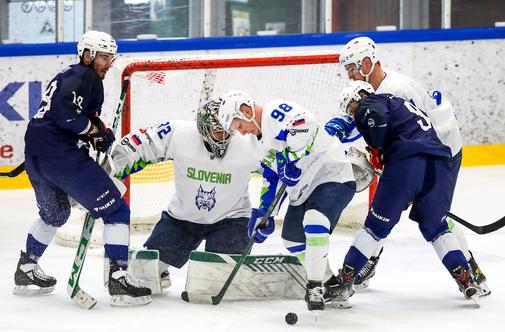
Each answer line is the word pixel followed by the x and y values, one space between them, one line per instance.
pixel 216 299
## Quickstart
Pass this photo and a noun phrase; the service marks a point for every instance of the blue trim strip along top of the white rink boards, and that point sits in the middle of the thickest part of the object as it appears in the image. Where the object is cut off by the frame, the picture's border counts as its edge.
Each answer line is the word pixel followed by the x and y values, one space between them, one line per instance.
pixel 216 43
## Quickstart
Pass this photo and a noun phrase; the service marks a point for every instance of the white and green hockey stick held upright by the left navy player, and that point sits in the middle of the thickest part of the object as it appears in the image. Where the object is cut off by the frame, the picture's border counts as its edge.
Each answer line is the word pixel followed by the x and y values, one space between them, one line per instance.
pixel 80 297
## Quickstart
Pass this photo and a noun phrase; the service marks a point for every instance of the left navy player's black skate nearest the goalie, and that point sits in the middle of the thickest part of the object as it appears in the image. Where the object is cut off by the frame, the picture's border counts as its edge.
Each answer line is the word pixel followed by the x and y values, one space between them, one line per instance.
pixel 123 290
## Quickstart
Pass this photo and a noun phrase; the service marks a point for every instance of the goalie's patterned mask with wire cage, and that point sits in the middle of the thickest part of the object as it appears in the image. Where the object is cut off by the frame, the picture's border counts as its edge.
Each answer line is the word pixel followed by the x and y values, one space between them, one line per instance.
pixel 214 136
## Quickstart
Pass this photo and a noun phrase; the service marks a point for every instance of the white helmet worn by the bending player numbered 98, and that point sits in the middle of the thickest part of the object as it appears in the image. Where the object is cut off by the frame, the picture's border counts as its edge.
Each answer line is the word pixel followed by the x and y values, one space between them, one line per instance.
pixel 230 108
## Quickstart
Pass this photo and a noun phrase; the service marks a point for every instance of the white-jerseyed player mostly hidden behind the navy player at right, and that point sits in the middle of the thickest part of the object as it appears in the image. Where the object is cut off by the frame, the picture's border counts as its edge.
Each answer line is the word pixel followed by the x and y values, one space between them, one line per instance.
pixel 359 56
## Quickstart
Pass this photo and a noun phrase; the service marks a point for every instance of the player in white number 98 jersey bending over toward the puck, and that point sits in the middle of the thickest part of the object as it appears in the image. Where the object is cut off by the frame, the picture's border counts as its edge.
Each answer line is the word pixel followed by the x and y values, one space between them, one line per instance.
pixel 297 151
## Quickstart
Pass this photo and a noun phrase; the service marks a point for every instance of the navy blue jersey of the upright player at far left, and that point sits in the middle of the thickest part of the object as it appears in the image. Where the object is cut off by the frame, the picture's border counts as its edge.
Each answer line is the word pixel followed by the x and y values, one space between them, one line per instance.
pixel 71 99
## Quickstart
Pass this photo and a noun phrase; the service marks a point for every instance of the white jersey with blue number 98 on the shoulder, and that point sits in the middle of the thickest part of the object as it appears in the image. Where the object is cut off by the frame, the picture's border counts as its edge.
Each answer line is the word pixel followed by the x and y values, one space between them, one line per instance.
pixel 286 126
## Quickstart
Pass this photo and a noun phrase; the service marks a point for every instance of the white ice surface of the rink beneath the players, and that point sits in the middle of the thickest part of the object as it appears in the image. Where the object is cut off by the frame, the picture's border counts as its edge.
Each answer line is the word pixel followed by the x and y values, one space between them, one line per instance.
pixel 411 290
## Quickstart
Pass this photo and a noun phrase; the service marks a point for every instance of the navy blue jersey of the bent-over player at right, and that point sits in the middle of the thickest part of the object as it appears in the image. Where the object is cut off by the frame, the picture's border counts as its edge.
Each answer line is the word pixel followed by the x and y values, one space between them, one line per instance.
pixel 397 128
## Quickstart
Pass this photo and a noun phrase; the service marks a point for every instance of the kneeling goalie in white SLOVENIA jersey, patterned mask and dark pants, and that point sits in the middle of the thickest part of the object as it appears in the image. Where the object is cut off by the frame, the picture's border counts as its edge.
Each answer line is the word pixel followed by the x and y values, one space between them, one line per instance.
pixel 211 170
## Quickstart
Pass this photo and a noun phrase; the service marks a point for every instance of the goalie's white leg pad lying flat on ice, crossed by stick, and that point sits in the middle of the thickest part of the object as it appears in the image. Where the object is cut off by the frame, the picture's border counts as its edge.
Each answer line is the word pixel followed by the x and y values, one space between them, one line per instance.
pixel 259 276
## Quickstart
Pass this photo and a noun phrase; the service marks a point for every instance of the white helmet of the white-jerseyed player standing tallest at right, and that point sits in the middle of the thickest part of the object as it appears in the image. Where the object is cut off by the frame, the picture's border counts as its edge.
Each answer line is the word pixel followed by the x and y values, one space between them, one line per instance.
pixel 358 49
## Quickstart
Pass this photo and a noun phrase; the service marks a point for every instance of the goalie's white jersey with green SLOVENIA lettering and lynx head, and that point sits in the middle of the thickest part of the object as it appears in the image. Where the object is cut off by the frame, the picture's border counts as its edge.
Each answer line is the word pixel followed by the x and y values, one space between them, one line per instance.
pixel 206 190
